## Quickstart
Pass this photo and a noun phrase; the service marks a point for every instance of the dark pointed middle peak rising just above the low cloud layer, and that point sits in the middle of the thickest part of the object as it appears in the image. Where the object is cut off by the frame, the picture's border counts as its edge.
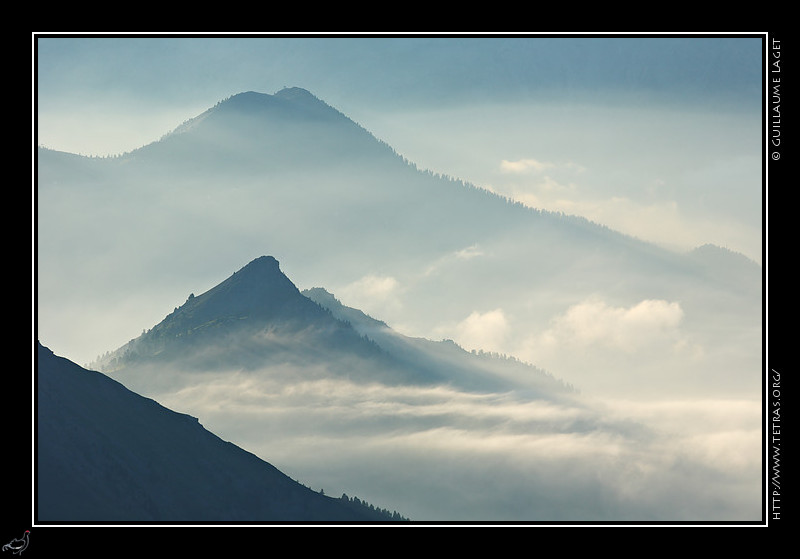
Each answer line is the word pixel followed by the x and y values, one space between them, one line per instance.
pixel 255 318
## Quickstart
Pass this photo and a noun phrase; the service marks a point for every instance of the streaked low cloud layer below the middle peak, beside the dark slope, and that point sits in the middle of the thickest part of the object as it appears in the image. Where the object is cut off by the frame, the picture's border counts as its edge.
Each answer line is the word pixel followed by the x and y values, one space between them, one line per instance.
pixel 438 454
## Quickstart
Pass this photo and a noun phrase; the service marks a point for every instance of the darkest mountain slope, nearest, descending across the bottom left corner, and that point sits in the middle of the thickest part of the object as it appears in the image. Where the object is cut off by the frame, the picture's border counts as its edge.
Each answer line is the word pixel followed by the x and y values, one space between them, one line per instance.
pixel 106 454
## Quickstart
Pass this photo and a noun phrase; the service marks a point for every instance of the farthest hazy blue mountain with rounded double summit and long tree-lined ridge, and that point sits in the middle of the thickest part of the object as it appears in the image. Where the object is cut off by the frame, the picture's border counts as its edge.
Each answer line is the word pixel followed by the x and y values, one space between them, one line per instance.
pixel 289 165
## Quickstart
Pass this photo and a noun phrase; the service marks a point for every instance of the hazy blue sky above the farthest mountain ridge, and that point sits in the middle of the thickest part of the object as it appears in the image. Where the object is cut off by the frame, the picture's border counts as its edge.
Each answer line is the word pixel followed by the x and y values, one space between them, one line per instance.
pixel 657 136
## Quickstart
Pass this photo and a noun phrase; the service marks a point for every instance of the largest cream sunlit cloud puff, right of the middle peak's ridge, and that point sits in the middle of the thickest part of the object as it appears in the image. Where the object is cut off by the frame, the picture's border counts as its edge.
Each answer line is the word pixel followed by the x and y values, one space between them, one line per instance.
pixel 644 347
